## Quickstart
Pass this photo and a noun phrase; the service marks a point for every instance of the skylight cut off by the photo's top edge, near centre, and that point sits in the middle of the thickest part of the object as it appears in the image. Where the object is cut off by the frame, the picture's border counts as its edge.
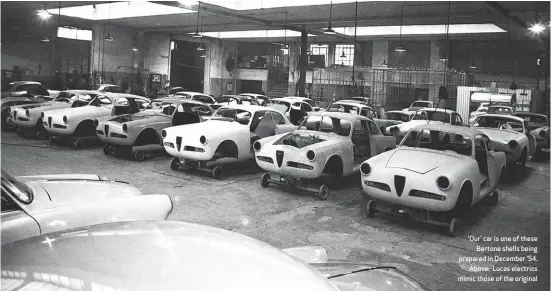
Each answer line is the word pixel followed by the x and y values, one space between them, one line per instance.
pixel 259 4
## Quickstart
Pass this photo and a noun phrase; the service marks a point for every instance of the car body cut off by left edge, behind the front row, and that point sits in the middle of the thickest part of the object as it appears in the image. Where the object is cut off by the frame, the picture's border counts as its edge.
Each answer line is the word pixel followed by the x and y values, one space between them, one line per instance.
pixel 20 93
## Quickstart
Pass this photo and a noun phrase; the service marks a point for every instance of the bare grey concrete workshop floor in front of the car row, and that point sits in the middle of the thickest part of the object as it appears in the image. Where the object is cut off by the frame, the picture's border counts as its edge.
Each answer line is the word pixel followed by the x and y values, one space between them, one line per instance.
pixel 286 219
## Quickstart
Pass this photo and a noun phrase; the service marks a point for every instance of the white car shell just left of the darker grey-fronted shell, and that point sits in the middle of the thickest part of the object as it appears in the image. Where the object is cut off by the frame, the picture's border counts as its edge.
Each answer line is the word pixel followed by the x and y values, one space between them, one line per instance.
pixel 53 119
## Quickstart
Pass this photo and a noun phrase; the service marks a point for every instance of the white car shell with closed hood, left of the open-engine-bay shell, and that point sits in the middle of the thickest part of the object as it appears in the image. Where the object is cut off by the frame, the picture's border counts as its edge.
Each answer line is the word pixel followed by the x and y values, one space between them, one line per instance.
pixel 184 141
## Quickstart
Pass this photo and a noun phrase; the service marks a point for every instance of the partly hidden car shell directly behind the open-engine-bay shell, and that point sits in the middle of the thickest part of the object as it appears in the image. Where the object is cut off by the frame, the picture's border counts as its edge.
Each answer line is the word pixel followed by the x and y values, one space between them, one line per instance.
pixel 362 109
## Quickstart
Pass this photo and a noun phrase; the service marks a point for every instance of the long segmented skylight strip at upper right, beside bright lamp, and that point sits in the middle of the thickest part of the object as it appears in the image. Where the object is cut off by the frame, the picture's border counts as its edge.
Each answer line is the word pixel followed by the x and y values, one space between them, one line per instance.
pixel 421 29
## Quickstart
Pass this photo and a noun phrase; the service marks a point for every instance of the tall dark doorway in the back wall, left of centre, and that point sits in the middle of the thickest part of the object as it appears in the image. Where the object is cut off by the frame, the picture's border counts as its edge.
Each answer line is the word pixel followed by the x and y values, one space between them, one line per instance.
pixel 187 66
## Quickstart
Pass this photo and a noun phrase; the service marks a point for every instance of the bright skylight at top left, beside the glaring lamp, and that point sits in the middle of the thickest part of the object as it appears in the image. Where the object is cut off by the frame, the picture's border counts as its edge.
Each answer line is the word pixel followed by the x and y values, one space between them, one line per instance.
pixel 118 10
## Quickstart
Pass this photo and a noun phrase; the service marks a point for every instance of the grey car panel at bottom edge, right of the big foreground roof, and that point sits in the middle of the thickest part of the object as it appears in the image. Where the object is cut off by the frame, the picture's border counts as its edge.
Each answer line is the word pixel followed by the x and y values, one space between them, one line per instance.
pixel 348 276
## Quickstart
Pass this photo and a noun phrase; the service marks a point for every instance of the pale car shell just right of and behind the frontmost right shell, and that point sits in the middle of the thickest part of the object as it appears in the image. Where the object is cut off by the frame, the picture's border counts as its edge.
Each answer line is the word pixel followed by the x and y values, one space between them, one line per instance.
pixel 501 137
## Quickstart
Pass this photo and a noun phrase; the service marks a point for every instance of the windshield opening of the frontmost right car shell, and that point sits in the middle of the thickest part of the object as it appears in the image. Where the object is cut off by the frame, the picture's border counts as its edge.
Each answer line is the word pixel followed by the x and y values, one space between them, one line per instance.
pixel 439 140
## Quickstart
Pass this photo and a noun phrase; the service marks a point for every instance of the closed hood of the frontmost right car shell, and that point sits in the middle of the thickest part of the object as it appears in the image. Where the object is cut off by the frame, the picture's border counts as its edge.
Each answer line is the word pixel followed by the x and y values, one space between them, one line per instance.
pixel 420 161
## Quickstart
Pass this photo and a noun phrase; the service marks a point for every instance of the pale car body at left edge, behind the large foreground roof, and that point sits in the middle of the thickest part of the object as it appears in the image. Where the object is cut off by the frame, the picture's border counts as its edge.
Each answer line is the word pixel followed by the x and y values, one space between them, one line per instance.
pixel 34 205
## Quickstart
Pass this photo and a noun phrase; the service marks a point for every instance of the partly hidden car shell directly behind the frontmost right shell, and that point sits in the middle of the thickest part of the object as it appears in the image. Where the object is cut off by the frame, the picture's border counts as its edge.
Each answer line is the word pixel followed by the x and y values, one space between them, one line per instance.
pixel 425 116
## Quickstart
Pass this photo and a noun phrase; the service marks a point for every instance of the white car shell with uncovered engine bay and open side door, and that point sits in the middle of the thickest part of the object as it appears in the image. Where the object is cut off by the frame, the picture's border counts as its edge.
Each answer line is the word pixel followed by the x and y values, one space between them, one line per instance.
pixel 325 146
